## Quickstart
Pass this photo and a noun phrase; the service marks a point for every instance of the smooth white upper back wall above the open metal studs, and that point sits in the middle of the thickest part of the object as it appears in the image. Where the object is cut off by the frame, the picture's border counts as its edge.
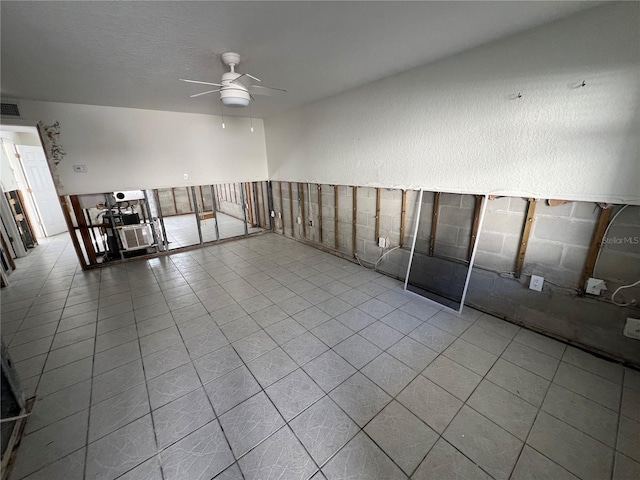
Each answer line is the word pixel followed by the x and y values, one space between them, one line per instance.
pixel 130 149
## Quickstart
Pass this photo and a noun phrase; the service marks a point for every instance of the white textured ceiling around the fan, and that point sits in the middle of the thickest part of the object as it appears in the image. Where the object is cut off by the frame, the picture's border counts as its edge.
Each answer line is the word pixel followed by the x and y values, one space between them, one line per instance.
pixel 131 54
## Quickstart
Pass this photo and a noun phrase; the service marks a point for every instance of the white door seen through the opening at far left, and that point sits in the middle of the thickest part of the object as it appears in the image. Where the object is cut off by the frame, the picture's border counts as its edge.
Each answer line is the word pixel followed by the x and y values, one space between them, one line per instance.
pixel 44 192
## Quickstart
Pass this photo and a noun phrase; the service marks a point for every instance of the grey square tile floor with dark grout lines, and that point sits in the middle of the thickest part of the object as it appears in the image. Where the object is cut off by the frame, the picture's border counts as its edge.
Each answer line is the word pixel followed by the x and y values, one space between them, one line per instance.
pixel 264 358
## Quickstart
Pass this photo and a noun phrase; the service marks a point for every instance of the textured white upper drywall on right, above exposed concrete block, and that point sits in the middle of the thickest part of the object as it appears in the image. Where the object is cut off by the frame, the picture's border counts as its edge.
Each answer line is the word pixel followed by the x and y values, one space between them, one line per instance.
pixel 456 125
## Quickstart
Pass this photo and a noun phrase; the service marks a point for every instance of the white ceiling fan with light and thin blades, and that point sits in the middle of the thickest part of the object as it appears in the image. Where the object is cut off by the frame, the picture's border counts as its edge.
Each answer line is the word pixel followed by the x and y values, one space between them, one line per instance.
pixel 236 89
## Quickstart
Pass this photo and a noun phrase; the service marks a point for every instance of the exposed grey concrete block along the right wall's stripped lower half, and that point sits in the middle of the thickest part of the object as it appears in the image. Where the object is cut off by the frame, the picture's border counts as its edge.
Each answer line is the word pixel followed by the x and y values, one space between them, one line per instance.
pixel 558 248
